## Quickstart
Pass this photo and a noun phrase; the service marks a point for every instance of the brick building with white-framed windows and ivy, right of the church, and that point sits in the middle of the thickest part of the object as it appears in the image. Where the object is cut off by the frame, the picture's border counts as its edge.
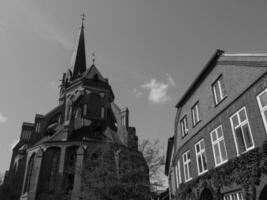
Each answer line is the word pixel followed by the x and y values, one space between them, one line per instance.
pixel 219 149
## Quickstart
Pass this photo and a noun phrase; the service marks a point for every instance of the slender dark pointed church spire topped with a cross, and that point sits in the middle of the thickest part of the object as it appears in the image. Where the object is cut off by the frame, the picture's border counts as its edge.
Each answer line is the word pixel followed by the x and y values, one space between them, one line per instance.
pixel 80 59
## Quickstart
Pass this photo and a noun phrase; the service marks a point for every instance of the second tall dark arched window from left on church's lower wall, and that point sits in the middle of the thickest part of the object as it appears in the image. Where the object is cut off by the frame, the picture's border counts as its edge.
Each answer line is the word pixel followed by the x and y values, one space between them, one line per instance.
pixel 54 171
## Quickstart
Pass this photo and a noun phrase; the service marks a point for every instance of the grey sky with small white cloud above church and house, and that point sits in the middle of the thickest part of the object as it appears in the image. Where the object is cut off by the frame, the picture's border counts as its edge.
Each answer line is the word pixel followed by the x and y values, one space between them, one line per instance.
pixel 150 50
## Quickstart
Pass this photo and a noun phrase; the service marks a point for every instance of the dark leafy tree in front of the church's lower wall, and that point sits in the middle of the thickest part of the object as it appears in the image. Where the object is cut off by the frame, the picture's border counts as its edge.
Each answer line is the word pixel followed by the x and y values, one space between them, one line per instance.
pixel 114 173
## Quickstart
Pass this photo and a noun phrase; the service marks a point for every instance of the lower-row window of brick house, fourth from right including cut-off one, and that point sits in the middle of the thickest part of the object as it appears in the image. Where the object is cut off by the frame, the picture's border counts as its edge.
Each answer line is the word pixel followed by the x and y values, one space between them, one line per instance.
pixel 201 157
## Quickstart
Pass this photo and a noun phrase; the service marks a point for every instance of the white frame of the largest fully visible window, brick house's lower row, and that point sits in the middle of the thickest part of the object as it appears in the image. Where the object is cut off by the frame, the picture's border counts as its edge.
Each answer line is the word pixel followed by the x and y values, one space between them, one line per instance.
pixel 241 124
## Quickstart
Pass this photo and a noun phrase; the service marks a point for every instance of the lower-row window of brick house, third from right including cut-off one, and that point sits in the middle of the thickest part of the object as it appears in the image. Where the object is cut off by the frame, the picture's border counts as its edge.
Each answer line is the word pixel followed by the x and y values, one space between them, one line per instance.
pixel 218 146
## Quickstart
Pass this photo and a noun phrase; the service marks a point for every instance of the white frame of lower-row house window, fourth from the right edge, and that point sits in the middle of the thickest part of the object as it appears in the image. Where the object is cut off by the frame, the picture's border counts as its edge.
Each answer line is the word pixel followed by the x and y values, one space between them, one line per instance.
pixel 201 154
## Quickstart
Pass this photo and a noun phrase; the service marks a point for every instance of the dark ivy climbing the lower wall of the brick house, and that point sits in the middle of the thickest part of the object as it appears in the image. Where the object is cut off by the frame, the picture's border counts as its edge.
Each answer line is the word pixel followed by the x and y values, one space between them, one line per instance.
pixel 245 170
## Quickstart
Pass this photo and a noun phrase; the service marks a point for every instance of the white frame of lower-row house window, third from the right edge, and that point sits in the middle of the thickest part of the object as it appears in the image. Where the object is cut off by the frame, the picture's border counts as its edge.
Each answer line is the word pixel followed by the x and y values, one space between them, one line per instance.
pixel 217 141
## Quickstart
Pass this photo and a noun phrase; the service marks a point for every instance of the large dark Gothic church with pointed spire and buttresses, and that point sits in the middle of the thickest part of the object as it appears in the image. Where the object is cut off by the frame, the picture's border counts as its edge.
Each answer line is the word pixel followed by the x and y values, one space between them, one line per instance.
pixel 84 148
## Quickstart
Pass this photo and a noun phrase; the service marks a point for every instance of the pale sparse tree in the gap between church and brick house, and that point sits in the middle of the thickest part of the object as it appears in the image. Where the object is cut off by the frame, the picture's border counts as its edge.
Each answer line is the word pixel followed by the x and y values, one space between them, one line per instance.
pixel 153 154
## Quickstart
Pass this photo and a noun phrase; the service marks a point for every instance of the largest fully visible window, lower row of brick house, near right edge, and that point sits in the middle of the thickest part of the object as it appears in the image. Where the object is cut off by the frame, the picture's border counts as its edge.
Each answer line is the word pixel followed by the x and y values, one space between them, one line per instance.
pixel 241 131
